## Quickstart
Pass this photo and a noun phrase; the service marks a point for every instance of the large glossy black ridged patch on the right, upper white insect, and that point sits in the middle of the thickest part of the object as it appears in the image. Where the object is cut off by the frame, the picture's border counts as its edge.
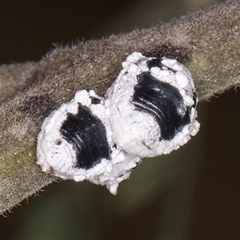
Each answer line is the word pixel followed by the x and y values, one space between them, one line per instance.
pixel 163 102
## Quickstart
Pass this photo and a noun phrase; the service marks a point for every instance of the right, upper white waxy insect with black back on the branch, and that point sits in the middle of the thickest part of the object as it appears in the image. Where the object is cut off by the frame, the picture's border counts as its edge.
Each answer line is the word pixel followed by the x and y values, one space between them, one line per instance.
pixel 152 99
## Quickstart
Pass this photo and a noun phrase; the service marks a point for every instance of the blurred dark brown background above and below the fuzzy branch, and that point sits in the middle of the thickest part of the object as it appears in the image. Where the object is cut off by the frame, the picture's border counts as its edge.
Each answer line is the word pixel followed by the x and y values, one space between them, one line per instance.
pixel 192 193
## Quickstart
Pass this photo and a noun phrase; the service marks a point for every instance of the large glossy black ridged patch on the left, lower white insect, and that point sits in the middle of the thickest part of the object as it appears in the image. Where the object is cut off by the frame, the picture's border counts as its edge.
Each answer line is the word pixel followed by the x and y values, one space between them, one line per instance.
pixel 87 134
